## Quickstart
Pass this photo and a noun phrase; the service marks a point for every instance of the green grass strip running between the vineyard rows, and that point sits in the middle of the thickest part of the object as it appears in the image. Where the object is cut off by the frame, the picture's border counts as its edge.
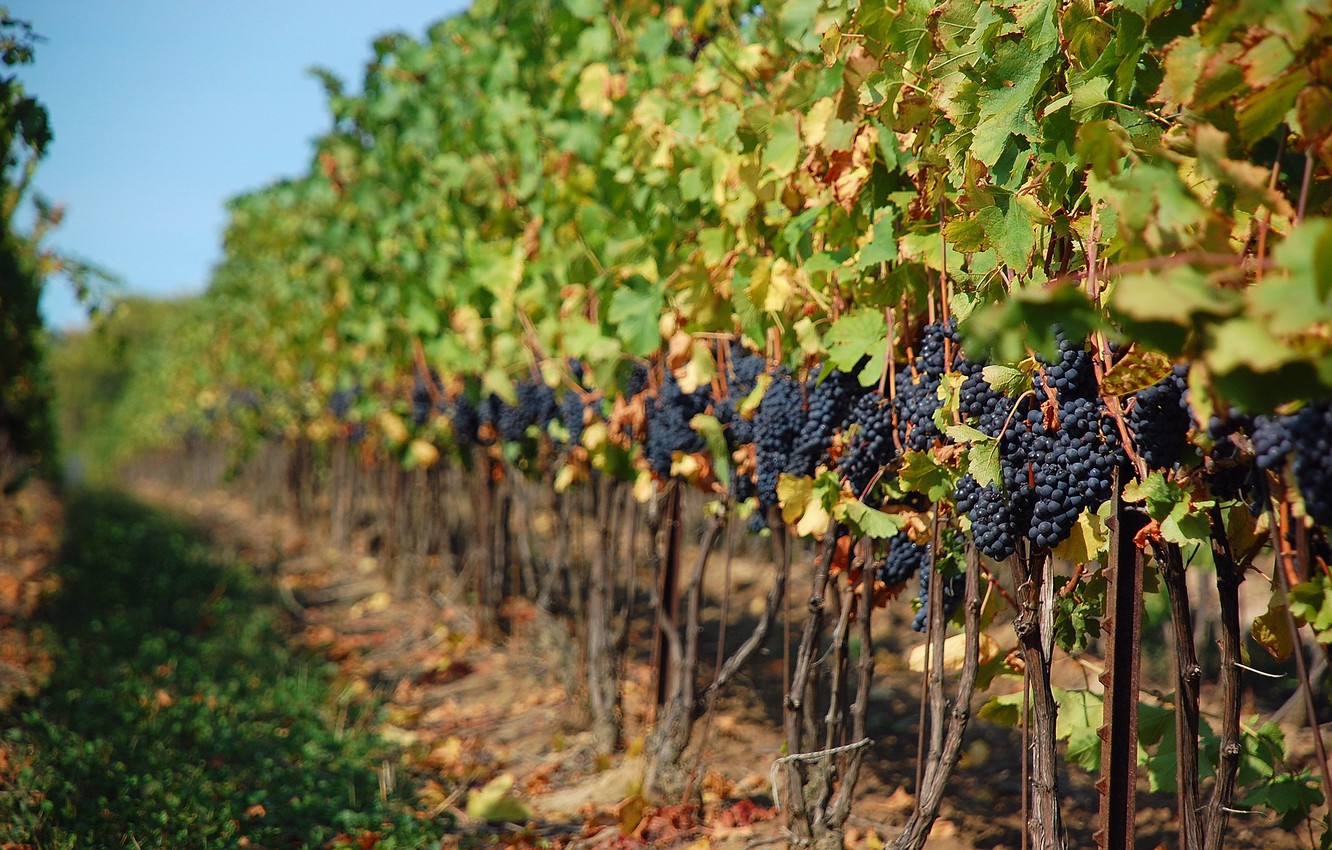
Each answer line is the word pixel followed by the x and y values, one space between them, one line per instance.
pixel 179 716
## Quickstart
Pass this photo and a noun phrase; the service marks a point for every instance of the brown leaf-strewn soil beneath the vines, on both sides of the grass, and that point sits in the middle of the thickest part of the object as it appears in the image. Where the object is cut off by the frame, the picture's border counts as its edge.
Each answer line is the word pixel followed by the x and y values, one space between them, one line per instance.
pixel 471 713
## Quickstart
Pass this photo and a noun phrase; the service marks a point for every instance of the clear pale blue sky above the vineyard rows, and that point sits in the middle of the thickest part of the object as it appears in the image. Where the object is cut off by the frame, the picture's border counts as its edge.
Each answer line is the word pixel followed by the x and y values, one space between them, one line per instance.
pixel 166 109
